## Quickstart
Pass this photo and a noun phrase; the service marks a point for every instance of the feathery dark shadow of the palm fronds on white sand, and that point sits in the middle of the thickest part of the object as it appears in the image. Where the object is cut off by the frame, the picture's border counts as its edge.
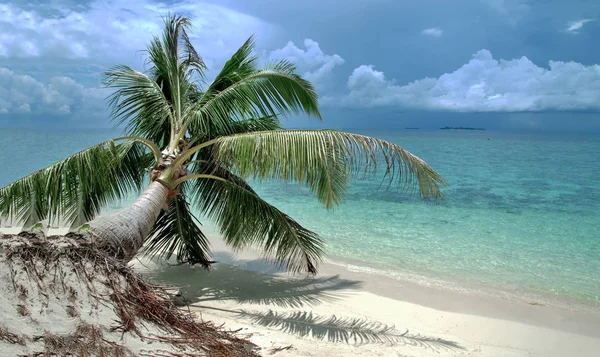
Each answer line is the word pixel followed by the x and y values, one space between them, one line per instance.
pixel 249 282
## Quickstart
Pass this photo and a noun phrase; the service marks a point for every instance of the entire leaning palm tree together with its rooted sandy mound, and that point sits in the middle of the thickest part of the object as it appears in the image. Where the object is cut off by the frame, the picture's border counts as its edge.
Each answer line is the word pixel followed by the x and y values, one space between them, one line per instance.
pixel 188 147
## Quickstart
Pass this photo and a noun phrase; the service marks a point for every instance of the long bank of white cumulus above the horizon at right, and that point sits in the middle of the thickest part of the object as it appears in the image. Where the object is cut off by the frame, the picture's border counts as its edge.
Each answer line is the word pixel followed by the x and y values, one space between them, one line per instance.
pixel 484 84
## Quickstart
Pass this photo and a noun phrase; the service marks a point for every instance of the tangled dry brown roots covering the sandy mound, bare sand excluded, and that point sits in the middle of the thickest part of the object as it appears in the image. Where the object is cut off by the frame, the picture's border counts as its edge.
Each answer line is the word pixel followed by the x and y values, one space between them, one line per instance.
pixel 136 303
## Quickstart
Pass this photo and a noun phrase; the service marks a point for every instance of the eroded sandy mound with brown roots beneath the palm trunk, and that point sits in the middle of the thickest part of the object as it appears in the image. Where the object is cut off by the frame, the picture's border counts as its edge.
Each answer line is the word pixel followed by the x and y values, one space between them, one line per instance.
pixel 62 295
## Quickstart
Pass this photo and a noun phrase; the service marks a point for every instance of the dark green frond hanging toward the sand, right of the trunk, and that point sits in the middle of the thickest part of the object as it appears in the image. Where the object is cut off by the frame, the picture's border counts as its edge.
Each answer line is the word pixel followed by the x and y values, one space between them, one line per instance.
pixel 244 219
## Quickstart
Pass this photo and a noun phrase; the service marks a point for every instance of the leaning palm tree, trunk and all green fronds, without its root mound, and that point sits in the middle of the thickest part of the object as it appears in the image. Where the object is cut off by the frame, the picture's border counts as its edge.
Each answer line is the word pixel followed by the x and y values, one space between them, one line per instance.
pixel 197 145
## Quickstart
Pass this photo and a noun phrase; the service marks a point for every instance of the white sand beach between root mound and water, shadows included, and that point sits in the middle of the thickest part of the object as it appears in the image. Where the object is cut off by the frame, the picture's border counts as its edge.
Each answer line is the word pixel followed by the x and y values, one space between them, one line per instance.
pixel 344 313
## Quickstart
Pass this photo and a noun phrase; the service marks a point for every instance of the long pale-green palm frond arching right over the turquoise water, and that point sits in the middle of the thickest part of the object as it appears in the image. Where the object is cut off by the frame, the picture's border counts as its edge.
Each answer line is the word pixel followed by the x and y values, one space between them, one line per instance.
pixel 323 159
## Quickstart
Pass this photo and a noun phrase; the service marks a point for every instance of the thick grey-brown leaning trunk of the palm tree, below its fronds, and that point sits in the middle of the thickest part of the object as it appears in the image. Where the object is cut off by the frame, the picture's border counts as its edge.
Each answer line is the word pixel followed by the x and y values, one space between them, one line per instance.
pixel 125 231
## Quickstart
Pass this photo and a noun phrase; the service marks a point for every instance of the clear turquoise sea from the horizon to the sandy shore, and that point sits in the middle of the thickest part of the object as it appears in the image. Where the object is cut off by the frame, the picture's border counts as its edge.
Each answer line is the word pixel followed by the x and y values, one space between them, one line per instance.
pixel 522 213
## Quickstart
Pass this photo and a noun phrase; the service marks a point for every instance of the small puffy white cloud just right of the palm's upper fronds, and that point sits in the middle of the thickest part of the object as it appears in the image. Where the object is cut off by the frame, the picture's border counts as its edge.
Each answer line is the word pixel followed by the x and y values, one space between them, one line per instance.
pixel 311 62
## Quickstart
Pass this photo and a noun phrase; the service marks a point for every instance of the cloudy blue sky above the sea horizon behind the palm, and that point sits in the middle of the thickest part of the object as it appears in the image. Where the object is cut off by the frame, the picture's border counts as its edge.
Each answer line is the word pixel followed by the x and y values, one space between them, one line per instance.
pixel 497 64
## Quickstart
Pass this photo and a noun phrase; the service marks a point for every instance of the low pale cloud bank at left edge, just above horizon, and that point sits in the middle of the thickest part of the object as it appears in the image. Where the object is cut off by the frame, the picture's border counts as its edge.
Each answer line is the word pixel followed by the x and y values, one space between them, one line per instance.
pixel 23 94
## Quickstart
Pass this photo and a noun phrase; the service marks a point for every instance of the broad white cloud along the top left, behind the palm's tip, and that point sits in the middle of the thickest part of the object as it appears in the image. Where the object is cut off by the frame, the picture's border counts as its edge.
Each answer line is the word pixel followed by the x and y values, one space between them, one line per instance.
pixel 110 31
